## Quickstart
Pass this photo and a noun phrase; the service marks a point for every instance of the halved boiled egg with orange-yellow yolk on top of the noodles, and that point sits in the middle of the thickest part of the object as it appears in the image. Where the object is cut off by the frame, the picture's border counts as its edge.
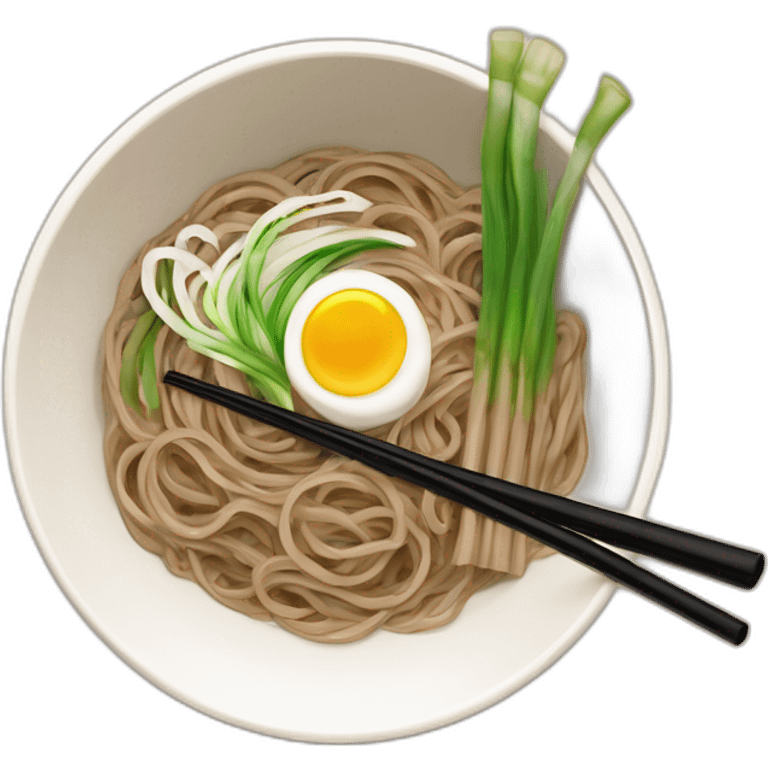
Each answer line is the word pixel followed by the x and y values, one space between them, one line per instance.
pixel 357 349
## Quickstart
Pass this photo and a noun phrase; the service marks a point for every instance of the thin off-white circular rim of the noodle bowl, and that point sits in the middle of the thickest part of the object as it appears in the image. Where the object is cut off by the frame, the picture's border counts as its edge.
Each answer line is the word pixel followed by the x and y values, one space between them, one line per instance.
pixel 658 413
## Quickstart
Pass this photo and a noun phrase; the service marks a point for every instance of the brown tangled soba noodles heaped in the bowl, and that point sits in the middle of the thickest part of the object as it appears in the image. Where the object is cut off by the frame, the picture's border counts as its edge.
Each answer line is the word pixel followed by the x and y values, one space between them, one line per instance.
pixel 280 530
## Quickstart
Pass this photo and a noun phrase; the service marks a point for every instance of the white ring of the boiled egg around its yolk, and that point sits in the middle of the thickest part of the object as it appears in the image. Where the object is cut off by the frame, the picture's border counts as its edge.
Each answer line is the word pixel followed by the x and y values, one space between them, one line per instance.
pixel 398 395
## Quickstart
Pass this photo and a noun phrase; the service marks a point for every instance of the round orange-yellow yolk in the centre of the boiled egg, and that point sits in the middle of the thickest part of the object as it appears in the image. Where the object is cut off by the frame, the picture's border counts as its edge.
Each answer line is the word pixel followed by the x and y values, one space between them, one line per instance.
pixel 353 342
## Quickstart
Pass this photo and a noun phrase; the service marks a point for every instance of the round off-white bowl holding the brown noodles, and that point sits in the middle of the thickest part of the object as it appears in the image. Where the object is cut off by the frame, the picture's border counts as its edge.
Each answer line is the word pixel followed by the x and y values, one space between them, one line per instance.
pixel 245 113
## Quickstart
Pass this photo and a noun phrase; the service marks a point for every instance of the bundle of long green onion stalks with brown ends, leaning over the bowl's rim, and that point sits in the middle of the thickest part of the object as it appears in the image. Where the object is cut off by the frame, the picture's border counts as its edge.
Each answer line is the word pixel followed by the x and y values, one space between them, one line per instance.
pixel 521 240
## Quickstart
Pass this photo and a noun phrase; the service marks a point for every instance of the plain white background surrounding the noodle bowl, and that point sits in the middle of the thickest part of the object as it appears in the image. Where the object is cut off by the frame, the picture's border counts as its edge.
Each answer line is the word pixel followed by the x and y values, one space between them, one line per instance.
pixel 683 162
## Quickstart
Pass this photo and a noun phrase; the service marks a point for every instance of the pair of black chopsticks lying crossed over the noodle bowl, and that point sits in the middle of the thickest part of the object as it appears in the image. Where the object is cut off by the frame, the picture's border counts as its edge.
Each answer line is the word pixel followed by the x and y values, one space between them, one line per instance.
pixel 558 522
